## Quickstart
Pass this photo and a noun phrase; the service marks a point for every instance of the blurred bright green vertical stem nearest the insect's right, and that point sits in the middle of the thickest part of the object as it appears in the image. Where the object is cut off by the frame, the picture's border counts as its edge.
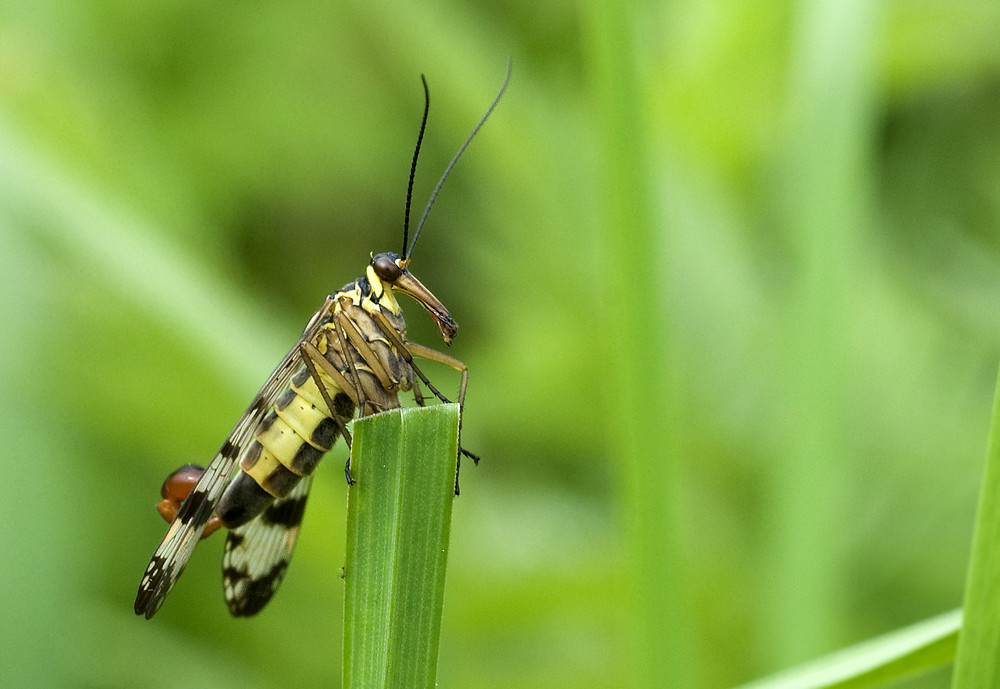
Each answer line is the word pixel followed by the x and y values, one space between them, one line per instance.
pixel 636 332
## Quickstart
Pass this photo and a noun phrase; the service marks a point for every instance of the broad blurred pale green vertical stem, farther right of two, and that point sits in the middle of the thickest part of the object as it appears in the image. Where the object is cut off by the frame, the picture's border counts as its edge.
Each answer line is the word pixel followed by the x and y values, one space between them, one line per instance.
pixel 823 191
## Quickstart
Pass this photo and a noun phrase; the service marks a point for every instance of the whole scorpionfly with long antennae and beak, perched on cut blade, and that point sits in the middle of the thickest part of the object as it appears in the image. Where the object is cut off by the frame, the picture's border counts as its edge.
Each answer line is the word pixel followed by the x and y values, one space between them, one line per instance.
pixel 352 356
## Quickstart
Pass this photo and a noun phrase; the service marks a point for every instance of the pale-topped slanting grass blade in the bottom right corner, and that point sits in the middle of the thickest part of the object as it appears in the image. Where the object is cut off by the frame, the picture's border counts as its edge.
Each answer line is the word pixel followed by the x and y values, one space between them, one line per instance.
pixel 877 662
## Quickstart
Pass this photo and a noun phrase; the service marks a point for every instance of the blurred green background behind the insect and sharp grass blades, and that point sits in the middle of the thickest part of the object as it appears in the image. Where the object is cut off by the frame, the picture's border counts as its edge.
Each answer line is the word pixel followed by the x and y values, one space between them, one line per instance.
pixel 728 278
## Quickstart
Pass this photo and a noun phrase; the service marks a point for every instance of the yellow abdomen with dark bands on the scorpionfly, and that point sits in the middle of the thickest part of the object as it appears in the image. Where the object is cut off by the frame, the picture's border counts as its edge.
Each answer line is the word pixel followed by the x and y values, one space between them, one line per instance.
pixel 287 445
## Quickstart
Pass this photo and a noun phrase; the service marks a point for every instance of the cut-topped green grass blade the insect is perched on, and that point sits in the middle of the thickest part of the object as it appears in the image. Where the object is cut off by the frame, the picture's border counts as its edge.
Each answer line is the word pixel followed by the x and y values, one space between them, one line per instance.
pixel 398 524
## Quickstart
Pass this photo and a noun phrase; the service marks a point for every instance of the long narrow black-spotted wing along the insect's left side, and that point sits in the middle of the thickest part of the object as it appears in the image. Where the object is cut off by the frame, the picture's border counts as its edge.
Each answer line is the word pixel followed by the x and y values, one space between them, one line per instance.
pixel 171 556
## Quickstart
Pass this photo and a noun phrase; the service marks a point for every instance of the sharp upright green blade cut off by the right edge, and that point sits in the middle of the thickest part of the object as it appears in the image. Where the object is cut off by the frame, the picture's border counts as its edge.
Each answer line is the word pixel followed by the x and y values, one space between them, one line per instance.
pixel 978 661
